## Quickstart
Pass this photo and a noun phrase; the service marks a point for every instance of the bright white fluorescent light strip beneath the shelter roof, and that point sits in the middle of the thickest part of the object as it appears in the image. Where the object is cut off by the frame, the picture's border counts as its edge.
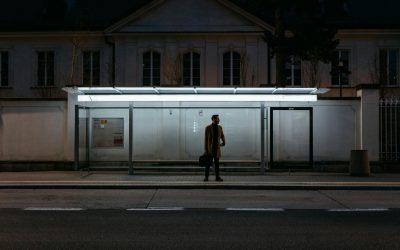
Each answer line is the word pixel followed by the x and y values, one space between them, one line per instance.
pixel 198 98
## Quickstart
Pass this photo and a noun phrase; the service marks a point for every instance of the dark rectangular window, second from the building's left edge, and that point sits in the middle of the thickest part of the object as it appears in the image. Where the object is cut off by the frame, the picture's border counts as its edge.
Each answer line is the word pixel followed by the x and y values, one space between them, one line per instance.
pixel 45 68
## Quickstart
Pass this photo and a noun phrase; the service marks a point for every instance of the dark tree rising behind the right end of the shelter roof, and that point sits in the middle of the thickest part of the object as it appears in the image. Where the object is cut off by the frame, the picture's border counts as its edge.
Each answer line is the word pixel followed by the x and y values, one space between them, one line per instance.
pixel 303 28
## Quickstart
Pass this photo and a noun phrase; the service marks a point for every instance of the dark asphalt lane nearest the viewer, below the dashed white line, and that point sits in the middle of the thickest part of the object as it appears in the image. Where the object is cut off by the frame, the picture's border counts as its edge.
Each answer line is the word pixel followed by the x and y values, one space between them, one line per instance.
pixel 199 229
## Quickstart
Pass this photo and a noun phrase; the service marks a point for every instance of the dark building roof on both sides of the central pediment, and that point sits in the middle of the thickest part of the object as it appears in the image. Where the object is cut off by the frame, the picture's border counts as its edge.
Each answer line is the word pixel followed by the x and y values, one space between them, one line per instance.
pixel 97 15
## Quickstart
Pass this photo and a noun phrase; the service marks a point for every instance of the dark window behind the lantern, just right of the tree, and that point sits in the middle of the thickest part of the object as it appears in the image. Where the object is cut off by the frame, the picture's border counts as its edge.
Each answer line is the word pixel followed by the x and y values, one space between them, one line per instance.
pixel 340 68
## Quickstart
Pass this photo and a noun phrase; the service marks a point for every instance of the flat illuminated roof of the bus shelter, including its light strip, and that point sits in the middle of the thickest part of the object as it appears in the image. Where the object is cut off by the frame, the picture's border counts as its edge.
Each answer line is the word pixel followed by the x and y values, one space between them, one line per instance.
pixel 187 94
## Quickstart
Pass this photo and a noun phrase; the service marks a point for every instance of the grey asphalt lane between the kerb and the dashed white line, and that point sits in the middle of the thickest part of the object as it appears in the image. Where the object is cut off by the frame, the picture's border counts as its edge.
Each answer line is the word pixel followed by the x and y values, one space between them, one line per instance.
pixel 199 198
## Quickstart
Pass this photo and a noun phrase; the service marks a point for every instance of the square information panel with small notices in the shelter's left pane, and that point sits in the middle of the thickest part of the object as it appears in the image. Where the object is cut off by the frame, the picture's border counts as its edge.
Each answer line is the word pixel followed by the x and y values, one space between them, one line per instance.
pixel 108 132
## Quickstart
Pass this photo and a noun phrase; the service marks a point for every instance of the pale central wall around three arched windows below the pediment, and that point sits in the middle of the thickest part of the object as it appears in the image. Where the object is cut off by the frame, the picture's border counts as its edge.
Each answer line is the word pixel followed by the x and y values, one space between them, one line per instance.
pixel 129 56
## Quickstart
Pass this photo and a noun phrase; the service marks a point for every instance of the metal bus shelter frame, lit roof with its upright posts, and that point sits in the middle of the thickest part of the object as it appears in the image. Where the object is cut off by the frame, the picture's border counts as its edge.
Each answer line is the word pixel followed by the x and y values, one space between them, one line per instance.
pixel 89 96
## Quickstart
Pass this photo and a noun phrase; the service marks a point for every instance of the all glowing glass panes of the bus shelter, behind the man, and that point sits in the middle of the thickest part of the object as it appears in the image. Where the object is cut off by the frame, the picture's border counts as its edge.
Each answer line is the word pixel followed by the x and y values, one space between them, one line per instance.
pixel 165 133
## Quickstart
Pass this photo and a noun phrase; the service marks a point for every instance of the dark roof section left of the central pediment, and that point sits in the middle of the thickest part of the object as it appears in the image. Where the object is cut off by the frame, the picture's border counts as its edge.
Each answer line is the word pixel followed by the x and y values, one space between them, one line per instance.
pixel 65 15
